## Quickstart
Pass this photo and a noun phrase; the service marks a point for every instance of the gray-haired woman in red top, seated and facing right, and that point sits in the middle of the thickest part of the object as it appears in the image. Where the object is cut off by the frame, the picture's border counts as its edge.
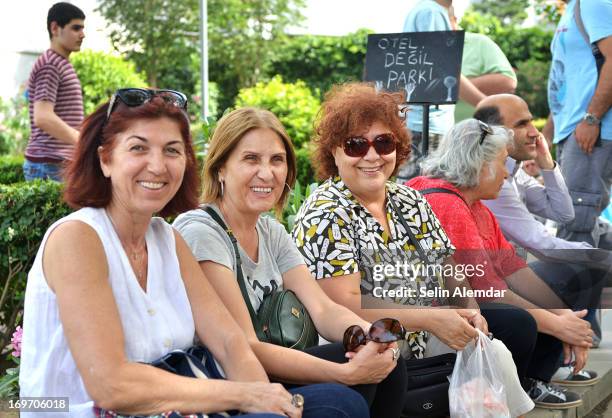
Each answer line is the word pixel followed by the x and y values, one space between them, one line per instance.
pixel 468 166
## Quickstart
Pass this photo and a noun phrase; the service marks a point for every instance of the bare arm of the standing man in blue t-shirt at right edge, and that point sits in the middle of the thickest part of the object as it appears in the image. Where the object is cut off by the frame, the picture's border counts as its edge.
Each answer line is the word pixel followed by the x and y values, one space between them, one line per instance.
pixel 586 135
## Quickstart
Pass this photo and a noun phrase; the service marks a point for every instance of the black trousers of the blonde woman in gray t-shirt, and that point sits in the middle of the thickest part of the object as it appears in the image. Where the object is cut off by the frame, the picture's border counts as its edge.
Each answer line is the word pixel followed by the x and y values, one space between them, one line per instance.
pixel 386 399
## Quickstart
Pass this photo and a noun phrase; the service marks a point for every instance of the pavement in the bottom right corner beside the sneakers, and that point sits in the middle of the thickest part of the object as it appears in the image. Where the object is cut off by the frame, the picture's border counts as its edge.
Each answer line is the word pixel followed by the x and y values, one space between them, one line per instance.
pixel 596 399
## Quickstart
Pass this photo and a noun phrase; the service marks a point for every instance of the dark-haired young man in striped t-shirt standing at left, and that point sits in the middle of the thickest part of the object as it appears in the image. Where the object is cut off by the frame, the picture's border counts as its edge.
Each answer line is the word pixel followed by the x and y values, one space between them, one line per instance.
pixel 54 93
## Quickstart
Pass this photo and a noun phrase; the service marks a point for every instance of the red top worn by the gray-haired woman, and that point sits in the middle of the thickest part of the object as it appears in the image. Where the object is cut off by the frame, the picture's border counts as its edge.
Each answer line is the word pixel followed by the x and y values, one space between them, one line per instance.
pixel 475 233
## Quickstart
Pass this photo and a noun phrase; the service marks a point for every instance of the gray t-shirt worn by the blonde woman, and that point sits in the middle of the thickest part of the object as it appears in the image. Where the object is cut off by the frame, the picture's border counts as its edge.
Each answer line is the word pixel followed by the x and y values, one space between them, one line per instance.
pixel 209 242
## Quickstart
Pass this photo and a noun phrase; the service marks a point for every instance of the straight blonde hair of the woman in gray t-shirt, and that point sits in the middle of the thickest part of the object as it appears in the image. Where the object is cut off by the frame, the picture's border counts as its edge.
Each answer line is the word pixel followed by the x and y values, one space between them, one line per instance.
pixel 230 130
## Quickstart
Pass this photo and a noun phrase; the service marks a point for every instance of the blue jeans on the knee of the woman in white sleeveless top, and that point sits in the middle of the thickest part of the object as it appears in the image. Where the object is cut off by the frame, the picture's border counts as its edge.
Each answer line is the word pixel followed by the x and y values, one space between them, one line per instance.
pixel 331 400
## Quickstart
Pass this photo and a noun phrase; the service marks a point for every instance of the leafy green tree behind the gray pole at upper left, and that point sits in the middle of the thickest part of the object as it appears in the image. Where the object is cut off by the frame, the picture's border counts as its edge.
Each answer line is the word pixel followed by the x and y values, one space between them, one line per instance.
pixel 162 36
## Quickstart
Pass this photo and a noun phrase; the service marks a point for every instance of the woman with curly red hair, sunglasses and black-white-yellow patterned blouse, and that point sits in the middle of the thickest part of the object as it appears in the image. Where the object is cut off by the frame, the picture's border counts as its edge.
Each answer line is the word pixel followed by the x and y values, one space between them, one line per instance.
pixel 356 218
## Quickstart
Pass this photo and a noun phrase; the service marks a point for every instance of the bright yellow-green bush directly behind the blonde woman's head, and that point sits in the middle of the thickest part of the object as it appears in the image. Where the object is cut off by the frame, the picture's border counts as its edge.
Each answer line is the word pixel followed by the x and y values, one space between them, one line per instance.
pixel 293 103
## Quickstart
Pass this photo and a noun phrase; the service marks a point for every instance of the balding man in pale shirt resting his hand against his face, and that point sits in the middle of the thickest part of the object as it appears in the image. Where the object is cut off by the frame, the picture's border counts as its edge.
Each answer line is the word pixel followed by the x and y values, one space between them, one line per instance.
pixel 574 270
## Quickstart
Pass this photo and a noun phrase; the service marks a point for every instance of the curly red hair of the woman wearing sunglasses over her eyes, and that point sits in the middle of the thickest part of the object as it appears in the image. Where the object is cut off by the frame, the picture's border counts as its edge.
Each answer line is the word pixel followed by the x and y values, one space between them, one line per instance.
pixel 349 110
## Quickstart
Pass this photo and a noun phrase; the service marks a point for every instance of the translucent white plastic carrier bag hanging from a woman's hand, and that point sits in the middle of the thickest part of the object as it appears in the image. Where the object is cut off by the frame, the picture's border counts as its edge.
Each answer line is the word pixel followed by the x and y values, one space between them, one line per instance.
pixel 476 385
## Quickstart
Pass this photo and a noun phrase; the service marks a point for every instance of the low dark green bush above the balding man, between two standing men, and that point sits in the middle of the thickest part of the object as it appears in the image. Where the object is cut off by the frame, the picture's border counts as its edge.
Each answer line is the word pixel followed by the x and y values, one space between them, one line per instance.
pixel 532 76
